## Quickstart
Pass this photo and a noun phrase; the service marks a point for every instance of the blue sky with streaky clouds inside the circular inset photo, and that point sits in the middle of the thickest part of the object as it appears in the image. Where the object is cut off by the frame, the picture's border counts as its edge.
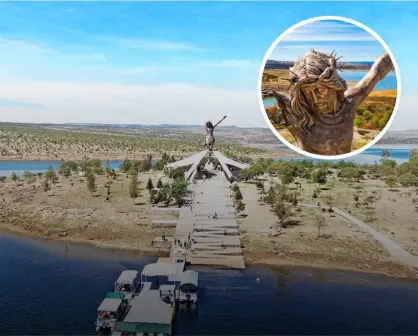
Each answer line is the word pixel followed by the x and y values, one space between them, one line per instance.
pixel 348 40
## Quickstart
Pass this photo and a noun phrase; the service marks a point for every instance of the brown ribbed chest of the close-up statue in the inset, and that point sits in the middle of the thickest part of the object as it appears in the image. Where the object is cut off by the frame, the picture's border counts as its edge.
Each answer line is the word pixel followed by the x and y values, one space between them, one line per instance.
pixel 331 135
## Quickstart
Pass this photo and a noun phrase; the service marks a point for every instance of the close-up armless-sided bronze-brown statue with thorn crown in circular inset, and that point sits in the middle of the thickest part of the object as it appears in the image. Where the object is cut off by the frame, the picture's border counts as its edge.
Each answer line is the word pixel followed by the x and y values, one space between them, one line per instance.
pixel 319 111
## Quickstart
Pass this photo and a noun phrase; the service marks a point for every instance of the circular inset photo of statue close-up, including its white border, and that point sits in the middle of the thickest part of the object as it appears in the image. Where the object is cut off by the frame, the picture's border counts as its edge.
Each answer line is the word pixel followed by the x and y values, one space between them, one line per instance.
pixel 329 87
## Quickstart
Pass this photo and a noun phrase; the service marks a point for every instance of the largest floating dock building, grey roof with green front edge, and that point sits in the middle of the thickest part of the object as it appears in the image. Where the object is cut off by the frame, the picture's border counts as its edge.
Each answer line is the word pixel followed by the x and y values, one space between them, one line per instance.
pixel 148 315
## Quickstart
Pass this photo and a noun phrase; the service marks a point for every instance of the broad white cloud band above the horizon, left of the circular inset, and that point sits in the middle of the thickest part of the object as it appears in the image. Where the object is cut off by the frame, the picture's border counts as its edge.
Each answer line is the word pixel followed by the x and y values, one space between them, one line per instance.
pixel 117 103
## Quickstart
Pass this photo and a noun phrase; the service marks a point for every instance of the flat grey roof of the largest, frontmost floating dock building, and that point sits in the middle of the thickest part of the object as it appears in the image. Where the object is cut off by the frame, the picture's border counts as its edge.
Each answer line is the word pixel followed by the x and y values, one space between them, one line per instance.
pixel 147 307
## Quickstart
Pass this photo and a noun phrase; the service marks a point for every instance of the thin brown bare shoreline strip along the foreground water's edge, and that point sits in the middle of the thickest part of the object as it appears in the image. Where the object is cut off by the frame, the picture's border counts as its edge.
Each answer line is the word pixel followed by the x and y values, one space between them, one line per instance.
pixel 268 259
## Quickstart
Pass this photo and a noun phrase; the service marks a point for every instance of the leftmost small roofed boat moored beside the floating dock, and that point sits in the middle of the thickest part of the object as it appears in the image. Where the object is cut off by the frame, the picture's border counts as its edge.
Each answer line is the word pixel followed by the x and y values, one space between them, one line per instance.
pixel 109 312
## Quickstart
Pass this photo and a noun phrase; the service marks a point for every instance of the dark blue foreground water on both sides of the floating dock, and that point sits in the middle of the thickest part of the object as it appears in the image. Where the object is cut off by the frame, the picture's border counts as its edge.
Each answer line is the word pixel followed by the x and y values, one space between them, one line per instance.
pixel 45 291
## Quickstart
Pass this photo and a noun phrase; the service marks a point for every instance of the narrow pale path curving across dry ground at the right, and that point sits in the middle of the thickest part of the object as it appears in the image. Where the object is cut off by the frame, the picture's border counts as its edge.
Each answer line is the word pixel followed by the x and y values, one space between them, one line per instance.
pixel 396 251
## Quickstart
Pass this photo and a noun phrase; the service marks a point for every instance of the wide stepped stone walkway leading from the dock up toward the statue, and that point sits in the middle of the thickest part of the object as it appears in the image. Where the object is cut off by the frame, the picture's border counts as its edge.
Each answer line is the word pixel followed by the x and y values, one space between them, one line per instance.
pixel 216 241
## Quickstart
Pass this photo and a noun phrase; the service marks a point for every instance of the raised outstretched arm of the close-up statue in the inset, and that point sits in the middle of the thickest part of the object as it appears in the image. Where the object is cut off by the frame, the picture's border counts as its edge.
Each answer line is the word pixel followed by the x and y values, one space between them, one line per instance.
pixel 379 70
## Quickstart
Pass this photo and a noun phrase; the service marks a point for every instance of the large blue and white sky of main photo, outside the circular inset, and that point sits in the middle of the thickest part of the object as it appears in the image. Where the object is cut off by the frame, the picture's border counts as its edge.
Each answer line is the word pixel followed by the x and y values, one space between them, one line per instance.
pixel 165 62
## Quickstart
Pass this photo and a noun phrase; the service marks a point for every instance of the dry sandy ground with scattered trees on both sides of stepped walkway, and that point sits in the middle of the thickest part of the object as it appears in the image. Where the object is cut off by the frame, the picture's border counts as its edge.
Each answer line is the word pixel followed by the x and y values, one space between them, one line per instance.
pixel 67 205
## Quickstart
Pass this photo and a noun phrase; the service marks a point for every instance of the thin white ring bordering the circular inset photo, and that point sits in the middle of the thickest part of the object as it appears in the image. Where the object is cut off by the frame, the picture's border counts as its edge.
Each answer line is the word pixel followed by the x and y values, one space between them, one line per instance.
pixel 382 132
